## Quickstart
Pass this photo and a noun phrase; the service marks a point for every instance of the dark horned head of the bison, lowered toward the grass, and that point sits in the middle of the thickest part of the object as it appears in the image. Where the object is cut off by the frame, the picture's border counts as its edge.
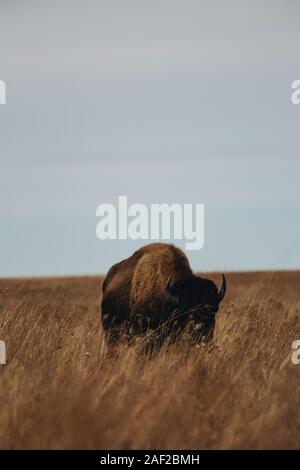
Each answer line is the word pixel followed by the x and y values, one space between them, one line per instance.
pixel 197 302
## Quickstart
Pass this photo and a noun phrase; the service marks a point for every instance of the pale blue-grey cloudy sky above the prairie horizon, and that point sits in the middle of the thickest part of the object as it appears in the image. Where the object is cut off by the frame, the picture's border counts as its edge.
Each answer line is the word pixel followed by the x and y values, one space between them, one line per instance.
pixel 162 101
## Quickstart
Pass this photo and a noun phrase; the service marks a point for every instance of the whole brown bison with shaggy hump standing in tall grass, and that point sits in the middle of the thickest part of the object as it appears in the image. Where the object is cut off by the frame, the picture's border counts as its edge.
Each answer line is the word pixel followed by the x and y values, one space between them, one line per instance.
pixel 155 289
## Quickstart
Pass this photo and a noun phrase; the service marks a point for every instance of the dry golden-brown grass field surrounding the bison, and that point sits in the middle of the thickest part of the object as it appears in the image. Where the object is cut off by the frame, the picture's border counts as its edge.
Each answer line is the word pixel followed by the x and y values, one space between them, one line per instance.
pixel 62 389
